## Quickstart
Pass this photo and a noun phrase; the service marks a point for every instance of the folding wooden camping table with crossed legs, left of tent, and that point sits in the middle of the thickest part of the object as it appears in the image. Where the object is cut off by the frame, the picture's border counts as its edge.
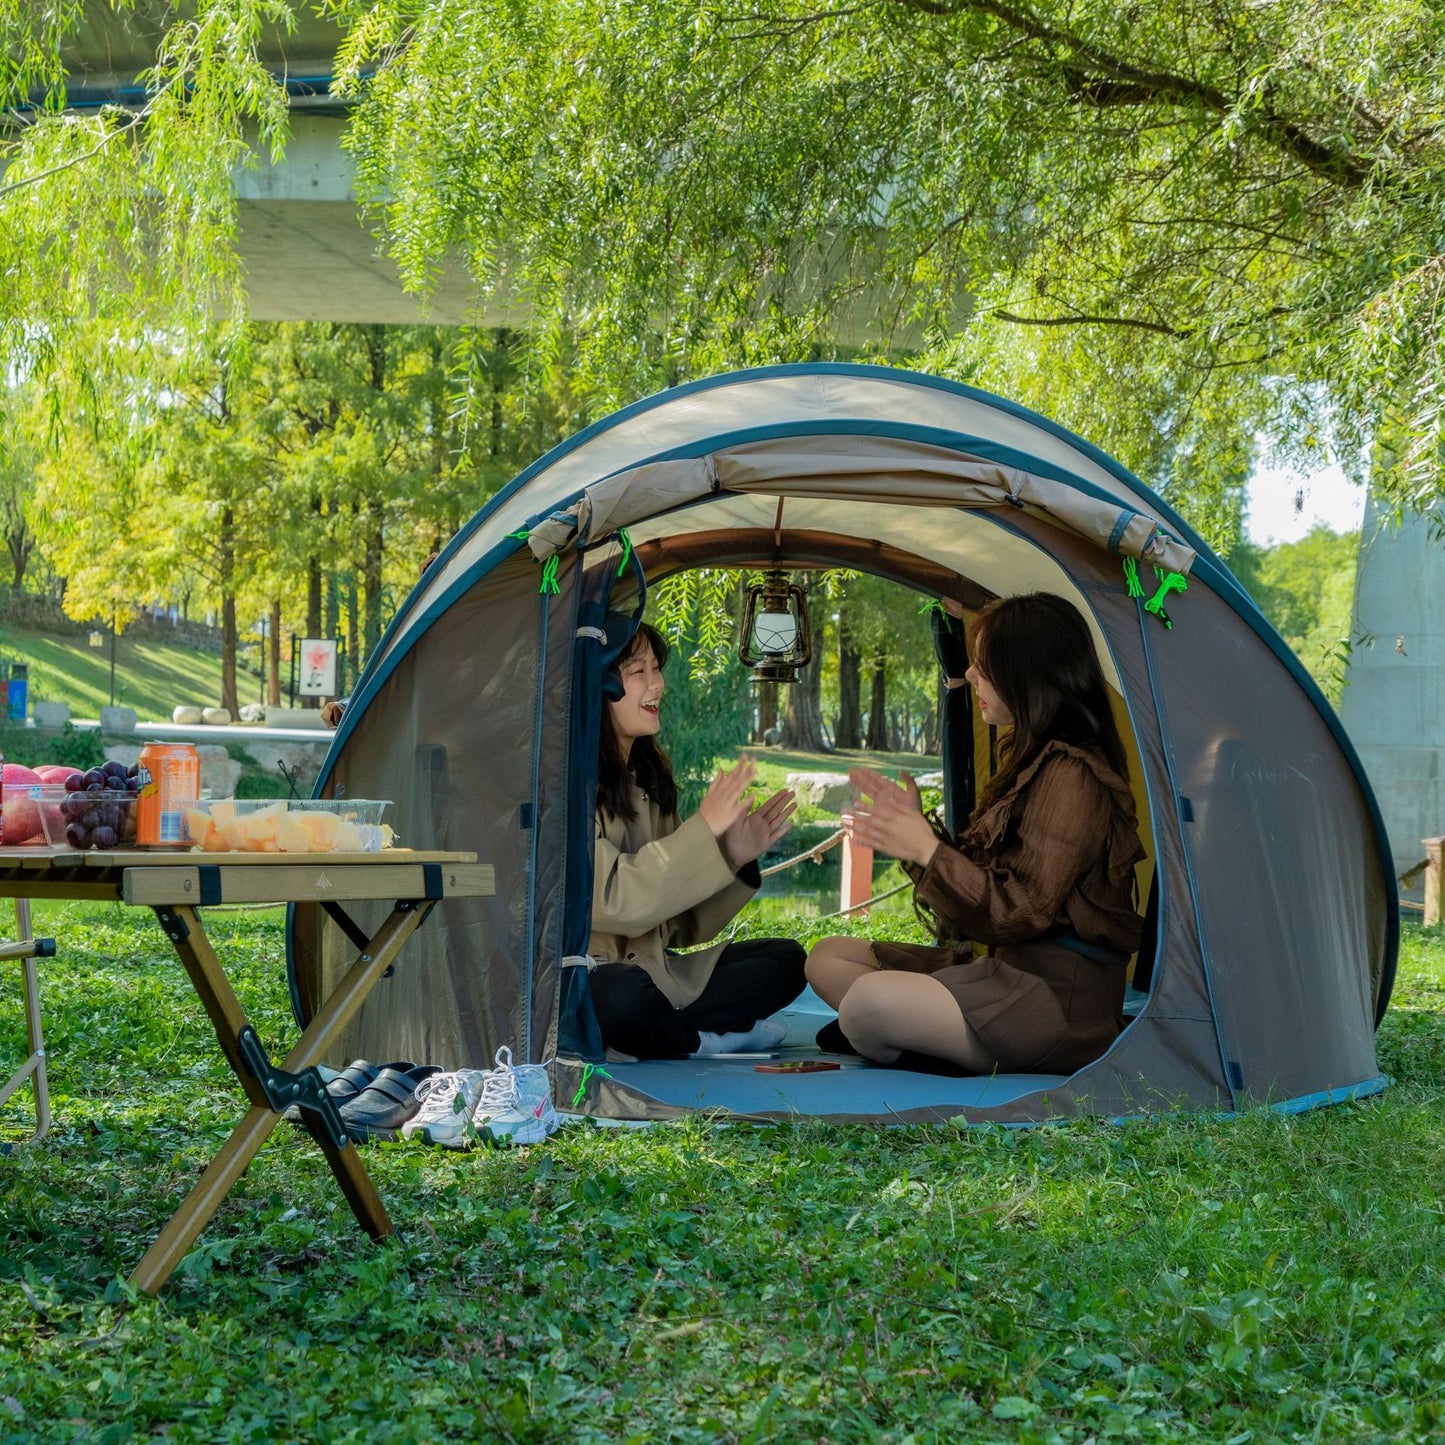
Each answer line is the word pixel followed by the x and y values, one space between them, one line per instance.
pixel 177 887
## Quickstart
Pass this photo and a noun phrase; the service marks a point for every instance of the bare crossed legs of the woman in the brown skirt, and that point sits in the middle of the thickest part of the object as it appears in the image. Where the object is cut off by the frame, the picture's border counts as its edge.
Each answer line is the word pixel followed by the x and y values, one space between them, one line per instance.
pixel 885 1014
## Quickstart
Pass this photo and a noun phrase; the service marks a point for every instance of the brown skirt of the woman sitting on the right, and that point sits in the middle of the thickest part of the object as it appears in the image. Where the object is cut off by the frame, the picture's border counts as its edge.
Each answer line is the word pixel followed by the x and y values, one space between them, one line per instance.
pixel 1037 1008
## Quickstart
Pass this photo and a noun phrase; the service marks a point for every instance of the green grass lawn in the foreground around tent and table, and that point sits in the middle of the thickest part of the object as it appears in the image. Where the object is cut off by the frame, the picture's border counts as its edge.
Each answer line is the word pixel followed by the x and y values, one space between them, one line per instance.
pixel 1222 1280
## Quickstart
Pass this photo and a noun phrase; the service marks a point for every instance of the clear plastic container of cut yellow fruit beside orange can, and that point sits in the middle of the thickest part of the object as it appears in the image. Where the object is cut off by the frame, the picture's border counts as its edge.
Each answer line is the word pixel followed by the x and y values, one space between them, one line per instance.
pixel 288 826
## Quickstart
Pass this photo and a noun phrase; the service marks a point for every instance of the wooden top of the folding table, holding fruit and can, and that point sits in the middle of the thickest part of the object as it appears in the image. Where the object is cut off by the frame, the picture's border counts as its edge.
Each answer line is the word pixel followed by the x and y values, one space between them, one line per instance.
pixel 189 876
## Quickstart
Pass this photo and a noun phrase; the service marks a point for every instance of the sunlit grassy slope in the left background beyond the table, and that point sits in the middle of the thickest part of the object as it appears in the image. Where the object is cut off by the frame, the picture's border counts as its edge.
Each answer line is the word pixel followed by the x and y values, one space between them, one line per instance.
pixel 151 677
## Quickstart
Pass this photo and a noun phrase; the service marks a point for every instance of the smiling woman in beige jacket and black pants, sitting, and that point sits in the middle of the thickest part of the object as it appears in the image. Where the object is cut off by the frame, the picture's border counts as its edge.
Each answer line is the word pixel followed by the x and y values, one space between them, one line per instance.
pixel 663 884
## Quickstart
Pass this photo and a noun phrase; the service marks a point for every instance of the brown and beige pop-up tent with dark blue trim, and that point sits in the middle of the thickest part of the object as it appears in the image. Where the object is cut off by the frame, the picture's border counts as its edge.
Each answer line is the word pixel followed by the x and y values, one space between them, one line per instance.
pixel 1274 920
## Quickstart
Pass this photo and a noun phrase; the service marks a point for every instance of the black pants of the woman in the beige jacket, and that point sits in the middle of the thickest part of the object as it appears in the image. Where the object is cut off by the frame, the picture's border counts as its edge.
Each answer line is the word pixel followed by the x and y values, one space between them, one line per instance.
pixel 749 982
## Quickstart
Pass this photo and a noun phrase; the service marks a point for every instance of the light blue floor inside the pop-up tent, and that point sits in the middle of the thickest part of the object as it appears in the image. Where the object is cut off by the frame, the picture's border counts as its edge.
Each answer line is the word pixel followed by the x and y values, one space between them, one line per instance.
pixel 856 1089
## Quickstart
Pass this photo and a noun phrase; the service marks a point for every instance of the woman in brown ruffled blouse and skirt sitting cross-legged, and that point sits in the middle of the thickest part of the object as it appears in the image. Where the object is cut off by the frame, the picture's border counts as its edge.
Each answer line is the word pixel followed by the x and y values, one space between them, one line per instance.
pixel 1043 876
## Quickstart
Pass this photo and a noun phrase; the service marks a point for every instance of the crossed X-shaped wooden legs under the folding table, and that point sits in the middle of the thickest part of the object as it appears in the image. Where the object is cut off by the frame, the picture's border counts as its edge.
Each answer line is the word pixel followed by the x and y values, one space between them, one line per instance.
pixel 183 927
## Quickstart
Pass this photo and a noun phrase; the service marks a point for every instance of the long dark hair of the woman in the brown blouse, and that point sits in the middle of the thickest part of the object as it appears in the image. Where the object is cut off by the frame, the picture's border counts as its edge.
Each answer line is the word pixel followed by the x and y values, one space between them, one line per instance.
pixel 1038 654
